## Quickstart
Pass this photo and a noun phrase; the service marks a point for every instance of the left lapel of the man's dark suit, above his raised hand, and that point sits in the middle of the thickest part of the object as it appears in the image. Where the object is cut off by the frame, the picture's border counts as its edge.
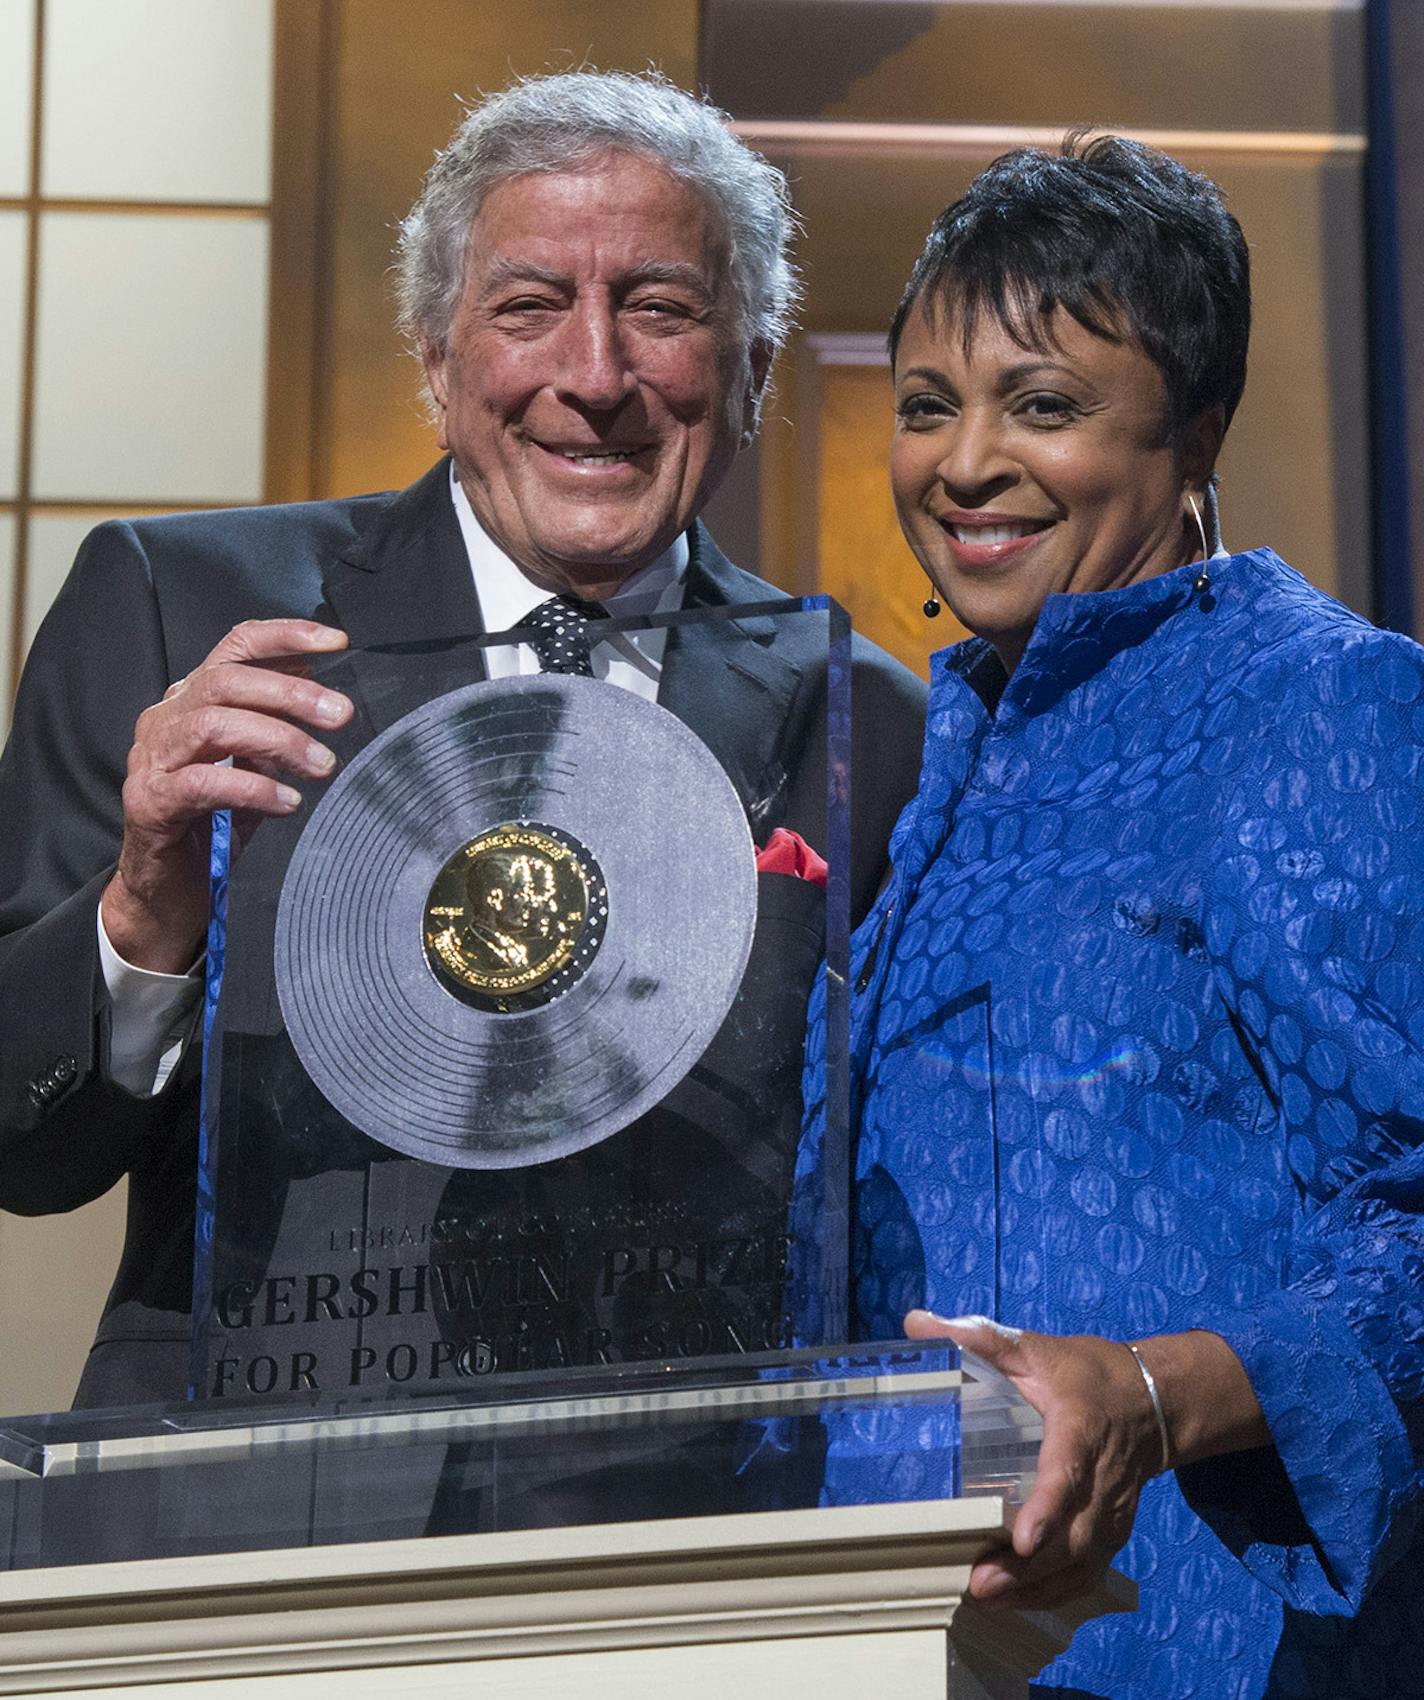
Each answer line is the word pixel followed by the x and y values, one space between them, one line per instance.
pixel 402 592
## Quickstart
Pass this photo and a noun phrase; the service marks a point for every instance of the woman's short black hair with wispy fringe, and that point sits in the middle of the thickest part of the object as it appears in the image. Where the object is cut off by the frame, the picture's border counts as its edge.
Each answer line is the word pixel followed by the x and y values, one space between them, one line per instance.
pixel 1116 234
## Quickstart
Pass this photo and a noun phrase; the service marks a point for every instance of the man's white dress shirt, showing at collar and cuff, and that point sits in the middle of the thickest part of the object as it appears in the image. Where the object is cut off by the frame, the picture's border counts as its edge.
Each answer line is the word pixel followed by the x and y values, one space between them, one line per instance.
pixel 154 1016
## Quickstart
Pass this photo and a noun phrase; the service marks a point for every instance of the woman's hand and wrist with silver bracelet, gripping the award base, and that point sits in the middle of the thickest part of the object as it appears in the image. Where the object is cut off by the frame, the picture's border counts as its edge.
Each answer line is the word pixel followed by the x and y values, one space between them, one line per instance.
pixel 1102 1441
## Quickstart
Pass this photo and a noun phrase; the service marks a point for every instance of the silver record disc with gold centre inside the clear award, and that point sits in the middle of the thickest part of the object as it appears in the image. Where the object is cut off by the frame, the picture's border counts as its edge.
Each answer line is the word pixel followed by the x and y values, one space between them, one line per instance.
pixel 516 922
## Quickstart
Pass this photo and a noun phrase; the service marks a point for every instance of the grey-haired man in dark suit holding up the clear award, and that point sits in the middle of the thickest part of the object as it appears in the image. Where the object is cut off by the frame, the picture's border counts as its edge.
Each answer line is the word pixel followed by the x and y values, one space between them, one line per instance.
pixel 596 280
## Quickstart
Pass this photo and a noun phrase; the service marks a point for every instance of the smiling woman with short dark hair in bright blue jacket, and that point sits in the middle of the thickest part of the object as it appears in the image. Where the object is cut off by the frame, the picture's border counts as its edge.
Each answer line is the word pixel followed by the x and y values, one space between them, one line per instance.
pixel 1136 1029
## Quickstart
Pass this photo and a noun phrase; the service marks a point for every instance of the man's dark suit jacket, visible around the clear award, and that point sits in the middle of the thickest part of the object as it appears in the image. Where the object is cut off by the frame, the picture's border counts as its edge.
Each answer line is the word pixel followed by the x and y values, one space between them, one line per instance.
pixel 144 606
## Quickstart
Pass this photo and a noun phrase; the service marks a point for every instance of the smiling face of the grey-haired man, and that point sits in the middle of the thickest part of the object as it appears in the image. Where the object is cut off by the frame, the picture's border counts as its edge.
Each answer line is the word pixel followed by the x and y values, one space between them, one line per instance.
pixel 594 387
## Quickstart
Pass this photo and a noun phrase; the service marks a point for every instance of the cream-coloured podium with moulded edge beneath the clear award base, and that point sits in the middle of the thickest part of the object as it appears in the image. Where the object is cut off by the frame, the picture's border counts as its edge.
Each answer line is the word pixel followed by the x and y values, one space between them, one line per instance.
pixel 833 1602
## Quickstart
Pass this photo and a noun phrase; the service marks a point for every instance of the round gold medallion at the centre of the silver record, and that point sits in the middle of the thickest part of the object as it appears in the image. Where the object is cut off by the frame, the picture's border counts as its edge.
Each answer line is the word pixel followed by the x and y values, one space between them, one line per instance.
pixel 507 912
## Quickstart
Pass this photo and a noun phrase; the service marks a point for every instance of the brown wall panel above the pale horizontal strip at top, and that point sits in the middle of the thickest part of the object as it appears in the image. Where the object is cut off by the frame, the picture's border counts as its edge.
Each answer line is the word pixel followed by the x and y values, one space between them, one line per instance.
pixel 1180 65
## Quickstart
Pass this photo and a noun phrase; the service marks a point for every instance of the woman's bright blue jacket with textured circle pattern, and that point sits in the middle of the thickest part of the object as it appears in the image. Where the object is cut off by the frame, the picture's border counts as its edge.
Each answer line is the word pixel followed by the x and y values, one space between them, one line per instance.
pixel 1138 1048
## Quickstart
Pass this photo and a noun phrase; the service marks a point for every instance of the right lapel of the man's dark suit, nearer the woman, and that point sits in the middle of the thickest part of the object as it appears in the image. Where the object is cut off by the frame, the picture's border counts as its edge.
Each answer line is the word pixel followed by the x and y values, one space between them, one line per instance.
pixel 728 683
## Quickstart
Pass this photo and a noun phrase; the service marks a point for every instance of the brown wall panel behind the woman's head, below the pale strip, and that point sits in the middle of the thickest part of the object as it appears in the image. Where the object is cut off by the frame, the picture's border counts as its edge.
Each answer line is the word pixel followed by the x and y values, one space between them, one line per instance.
pixel 1296 467
